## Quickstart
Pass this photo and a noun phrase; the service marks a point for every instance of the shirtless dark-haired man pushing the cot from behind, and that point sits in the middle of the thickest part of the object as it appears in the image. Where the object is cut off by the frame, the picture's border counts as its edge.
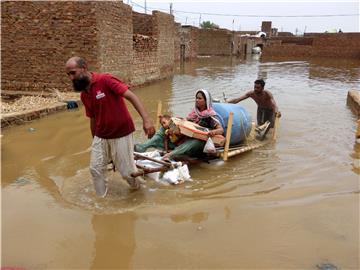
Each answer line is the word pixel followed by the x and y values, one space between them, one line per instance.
pixel 267 108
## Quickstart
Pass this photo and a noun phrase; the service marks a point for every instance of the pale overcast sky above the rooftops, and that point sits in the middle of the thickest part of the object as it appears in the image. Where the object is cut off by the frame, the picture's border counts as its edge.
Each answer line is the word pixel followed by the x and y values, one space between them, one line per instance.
pixel 308 16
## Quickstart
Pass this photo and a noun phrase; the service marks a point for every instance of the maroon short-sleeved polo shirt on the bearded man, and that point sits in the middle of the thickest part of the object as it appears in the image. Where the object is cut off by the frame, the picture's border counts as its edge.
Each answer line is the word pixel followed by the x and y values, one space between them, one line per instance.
pixel 104 101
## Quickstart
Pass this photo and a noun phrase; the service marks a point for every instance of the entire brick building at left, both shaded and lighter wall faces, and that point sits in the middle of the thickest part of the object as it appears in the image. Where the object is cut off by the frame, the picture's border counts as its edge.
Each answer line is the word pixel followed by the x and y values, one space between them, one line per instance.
pixel 39 36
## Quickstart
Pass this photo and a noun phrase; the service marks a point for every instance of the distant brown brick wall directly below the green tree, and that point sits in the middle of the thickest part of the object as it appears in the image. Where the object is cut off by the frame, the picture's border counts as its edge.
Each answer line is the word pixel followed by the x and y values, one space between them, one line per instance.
pixel 214 42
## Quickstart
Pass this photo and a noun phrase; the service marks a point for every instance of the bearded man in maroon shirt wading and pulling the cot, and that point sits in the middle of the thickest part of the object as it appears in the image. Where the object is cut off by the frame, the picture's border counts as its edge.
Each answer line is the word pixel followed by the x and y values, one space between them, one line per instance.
pixel 110 122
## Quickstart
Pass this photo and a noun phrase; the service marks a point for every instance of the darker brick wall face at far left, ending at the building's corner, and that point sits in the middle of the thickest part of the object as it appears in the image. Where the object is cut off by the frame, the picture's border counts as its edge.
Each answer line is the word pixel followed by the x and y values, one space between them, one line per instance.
pixel 38 37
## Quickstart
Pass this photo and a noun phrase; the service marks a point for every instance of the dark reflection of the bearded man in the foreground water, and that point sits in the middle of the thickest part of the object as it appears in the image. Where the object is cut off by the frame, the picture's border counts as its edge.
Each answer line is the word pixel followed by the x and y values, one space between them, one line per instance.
pixel 114 244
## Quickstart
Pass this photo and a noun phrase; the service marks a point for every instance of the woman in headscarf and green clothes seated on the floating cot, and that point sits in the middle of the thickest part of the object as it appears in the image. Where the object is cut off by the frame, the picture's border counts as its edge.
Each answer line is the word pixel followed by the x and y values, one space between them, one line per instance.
pixel 202 114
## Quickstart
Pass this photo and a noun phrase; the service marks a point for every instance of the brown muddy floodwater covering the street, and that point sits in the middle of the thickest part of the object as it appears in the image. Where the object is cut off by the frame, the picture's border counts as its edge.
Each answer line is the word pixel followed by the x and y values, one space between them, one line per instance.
pixel 293 204
